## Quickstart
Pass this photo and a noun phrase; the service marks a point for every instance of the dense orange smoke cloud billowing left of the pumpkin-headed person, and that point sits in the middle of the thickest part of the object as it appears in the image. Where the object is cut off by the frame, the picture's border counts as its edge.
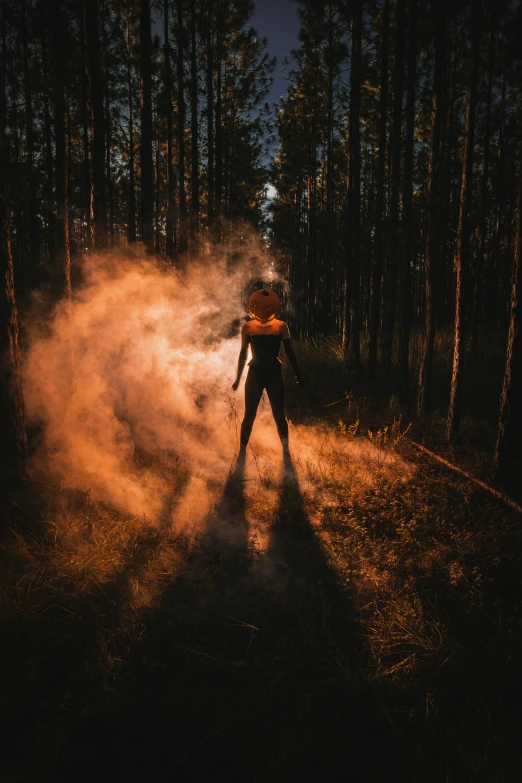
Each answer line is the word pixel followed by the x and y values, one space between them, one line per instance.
pixel 141 361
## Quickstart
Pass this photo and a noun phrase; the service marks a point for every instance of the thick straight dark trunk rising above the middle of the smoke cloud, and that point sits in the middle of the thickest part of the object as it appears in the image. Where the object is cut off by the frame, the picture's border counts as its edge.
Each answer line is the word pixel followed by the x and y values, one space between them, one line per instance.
pixel 146 164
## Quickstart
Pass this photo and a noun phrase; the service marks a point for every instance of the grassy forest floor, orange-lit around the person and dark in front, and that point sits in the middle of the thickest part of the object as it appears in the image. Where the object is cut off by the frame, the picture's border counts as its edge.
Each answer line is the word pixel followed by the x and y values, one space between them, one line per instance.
pixel 328 620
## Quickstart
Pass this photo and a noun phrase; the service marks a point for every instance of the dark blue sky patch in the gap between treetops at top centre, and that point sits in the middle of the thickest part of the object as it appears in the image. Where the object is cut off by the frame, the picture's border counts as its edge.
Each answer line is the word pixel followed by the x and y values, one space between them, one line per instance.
pixel 277 20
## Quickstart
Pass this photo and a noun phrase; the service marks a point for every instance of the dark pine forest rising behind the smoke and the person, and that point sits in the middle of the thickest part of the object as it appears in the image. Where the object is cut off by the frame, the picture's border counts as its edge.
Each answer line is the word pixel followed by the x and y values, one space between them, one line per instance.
pixel 395 155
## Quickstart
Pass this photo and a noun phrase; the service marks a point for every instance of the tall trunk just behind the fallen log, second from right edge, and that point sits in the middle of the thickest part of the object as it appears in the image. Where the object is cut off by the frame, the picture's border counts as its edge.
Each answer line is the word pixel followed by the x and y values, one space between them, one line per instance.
pixel 463 251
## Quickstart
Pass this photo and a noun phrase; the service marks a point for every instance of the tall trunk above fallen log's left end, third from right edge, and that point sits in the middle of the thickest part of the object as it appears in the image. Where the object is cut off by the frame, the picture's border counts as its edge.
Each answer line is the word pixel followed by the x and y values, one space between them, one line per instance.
pixel 432 254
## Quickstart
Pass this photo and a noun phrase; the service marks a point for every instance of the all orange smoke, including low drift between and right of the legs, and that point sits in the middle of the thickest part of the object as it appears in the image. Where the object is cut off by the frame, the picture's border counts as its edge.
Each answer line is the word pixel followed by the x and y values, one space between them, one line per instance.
pixel 130 387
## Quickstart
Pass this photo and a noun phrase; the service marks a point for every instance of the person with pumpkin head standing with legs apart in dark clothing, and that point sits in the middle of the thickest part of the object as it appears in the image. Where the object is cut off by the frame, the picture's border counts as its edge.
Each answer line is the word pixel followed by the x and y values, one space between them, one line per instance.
pixel 264 334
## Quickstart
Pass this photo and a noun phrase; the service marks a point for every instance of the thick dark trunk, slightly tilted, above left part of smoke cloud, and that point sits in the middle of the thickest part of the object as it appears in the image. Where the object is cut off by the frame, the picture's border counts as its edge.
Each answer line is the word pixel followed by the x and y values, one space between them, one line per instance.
pixel 98 124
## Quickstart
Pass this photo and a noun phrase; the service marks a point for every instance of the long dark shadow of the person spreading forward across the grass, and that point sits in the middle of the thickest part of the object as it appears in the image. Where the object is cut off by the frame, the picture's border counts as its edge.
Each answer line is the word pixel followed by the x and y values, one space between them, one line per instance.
pixel 250 669
